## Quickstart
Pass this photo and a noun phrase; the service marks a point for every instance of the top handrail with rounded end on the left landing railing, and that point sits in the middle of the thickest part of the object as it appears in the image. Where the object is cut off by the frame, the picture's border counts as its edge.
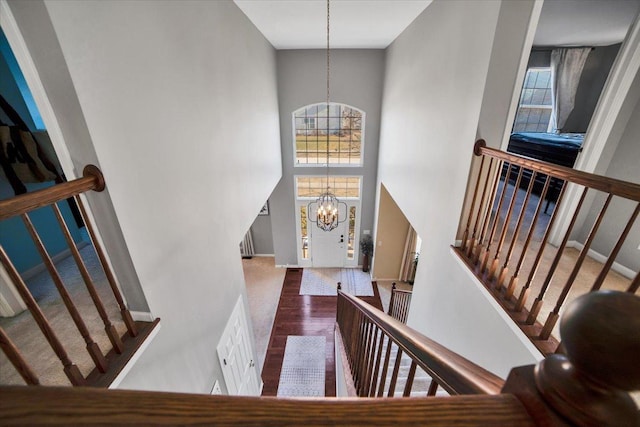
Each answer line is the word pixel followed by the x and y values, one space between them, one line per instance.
pixel 92 179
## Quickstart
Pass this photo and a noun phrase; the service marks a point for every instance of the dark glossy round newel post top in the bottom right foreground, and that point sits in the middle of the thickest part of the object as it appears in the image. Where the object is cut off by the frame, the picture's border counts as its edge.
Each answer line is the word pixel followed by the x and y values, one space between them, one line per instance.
pixel 589 386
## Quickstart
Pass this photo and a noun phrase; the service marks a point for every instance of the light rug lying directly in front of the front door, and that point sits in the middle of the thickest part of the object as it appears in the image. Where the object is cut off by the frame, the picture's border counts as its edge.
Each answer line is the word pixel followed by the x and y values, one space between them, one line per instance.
pixel 324 281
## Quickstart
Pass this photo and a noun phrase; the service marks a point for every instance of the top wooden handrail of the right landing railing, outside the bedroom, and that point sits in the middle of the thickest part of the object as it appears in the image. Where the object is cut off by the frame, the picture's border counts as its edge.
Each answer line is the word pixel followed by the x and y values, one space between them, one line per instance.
pixel 614 186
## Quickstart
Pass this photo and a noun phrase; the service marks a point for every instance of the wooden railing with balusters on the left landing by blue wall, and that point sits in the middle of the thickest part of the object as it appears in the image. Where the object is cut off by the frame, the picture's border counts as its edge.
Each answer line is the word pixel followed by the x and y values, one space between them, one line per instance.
pixel 107 363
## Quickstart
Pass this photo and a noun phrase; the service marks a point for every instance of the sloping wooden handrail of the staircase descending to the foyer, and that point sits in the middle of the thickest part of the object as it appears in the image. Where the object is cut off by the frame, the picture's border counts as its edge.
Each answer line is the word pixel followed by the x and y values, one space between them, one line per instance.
pixel 453 372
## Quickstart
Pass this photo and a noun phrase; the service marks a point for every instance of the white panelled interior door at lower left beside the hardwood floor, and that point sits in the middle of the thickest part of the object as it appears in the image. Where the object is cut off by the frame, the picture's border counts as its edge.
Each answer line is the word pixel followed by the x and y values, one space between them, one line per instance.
pixel 234 351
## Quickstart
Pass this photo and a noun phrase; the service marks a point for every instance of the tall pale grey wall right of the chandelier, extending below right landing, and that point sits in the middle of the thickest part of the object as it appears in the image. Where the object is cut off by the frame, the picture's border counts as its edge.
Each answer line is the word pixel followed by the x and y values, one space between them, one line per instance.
pixel 434 83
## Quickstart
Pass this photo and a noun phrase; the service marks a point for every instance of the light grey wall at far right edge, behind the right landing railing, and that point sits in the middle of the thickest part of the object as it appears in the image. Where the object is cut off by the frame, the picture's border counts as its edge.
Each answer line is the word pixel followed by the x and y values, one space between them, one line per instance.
pixel 623 165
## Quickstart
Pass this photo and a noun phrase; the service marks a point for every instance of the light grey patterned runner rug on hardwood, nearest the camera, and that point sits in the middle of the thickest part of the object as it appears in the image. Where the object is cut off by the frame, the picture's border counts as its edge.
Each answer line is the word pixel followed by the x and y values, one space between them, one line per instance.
pixel 303 367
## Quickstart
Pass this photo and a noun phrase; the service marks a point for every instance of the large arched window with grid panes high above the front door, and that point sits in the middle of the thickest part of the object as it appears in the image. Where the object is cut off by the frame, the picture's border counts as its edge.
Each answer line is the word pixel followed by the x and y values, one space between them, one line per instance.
pixel 340 126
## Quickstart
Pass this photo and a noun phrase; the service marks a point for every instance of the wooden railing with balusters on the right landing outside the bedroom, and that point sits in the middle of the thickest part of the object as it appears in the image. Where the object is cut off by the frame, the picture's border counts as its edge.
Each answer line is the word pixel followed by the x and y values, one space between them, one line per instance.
pixel 505 240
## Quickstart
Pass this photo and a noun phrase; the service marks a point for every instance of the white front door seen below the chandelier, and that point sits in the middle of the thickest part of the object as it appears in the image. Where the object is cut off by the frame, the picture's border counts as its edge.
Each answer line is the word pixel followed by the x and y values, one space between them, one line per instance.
pixel 328 248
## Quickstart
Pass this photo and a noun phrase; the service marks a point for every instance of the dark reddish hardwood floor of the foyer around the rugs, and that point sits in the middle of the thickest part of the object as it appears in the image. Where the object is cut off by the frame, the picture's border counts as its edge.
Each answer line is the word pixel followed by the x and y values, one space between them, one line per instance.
pixel 303 315
